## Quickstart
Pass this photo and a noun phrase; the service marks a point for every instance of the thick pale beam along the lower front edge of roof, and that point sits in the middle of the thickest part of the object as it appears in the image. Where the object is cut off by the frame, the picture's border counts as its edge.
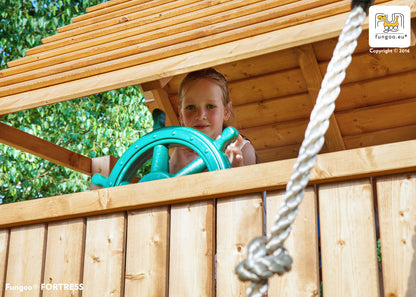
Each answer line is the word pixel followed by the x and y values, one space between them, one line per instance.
pixel 233 51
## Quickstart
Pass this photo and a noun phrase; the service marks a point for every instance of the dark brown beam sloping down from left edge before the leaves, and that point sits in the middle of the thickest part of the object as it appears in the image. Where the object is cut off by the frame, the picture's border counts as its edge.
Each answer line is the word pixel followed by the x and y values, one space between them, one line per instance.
pixel 44 149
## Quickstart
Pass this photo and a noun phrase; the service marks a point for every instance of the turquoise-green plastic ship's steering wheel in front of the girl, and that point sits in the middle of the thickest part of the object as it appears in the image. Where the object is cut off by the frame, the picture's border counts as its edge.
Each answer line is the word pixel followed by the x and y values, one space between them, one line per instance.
pixel 156 145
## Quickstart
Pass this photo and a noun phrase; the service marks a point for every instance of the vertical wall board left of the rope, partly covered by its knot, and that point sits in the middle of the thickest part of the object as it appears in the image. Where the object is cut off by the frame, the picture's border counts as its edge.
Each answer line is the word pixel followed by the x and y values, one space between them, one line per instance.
pixel 239 220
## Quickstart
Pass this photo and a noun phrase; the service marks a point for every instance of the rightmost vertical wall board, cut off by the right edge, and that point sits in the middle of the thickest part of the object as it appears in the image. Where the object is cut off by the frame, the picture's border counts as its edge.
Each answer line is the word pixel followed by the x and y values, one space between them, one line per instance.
pixel 397 212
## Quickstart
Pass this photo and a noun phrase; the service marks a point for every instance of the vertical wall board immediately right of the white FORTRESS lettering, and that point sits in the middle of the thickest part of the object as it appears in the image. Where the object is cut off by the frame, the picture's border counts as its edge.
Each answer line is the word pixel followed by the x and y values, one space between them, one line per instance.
pixel 104 255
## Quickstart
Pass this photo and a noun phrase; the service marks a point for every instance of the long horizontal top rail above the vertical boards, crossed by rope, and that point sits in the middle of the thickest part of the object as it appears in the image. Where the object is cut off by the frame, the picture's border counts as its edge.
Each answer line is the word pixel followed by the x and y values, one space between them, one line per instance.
pixel 330 167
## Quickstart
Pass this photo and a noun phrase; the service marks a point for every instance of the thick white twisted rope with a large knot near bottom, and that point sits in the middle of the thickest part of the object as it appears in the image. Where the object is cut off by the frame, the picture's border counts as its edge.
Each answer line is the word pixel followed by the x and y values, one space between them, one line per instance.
pixel 266 255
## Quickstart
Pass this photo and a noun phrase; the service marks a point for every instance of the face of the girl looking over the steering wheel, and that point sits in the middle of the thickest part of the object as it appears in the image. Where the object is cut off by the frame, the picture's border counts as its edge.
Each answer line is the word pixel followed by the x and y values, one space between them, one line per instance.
pixel 203 108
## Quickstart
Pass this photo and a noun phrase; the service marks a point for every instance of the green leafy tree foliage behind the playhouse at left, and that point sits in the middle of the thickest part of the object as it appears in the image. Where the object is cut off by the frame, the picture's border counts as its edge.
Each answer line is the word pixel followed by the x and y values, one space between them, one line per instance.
pixel 103 124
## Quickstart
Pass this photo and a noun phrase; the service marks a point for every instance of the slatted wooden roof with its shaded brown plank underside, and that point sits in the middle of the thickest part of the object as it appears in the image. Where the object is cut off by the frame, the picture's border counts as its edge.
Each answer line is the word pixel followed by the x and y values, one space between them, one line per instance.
pixel 273 53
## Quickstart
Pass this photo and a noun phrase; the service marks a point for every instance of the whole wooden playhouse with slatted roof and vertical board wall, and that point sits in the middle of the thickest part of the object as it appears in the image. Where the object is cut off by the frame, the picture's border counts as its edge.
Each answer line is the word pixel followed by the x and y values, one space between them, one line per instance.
pixel 169 237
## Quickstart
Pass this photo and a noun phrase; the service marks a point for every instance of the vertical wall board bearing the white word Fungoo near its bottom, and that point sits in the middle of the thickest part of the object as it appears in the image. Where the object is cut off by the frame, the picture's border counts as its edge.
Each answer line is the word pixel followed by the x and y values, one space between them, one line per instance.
pixel 25 261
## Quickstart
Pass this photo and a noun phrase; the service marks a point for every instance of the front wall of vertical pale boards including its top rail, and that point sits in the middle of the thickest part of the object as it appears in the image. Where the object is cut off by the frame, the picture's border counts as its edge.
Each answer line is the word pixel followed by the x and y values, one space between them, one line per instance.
pixel 171 238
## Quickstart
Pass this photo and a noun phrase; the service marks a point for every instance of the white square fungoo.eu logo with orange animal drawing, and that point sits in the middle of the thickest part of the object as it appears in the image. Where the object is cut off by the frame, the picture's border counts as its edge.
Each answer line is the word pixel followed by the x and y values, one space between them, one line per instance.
pixel 389 26
